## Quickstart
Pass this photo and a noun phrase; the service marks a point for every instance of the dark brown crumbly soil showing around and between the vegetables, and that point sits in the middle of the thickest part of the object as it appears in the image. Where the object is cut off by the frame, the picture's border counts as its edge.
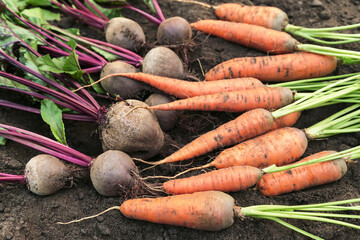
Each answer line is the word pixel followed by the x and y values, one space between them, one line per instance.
pixel 24 215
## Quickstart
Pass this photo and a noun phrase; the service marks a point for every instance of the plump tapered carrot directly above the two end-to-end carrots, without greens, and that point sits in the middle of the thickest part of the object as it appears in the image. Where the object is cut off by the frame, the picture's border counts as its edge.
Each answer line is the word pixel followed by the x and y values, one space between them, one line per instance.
pixel 281 146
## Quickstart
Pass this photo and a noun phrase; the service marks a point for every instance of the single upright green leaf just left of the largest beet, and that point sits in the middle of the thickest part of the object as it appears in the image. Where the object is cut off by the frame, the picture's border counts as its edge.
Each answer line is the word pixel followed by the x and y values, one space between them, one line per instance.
pixel 52 115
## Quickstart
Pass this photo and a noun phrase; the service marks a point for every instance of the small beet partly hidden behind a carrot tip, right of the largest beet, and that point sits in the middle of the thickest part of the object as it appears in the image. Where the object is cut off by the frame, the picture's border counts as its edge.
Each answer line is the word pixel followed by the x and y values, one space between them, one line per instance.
pixel 167 119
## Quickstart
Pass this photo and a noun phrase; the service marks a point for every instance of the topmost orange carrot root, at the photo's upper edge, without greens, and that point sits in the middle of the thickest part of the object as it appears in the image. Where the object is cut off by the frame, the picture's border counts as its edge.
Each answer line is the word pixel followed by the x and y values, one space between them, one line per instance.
pixel 269 17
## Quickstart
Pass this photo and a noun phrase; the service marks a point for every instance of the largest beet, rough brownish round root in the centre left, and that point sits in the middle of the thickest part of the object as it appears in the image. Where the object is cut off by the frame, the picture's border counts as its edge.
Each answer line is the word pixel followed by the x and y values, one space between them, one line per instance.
pixel 136 132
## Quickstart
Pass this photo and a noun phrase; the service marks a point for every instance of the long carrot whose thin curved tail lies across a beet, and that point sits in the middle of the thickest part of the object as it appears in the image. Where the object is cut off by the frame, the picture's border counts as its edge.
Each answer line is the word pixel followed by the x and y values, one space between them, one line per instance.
pixel 185 89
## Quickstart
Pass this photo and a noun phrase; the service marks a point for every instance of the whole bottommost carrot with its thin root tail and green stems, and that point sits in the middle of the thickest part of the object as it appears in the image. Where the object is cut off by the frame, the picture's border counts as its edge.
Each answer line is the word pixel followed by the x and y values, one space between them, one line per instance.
pixel 214 211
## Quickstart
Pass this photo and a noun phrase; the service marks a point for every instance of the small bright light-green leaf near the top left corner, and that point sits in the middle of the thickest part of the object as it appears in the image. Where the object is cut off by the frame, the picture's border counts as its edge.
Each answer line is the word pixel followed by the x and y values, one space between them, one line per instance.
pixel 40 16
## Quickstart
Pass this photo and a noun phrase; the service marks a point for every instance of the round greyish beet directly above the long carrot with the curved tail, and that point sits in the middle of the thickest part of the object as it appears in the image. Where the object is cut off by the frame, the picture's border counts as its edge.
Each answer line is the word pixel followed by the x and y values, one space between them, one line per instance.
pixel 164 62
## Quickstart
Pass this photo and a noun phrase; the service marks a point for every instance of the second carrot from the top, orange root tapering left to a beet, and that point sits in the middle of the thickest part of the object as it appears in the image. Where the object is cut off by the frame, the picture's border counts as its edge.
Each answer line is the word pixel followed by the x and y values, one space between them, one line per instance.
pixel 261 38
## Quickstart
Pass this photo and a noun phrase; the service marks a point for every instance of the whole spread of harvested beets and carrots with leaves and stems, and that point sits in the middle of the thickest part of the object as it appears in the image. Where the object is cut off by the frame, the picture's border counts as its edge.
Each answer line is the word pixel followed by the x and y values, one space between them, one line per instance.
pixel 251 130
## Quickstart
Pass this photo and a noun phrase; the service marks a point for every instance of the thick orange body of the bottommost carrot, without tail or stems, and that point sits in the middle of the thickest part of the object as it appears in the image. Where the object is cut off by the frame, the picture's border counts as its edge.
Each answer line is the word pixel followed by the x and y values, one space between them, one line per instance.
pixel 211 211
